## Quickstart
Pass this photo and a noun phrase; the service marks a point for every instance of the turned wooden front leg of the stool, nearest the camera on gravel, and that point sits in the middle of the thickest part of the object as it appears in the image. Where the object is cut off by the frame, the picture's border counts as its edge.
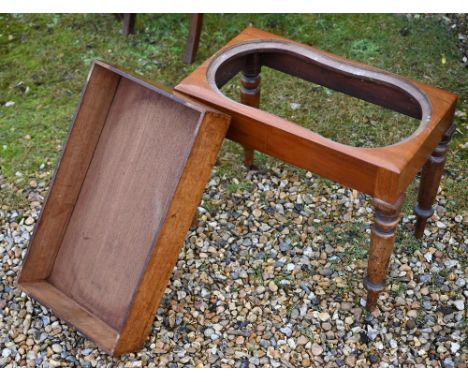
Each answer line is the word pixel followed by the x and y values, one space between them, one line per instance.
pixel 383 236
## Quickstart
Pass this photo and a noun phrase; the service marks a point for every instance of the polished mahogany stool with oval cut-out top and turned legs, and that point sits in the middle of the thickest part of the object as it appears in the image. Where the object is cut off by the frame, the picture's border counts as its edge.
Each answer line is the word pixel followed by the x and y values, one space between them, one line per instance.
pixel 381 172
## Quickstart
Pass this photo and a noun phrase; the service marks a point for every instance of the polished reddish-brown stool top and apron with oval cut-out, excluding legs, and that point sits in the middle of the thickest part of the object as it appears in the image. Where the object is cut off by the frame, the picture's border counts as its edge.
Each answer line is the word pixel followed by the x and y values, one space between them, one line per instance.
pixel 383 172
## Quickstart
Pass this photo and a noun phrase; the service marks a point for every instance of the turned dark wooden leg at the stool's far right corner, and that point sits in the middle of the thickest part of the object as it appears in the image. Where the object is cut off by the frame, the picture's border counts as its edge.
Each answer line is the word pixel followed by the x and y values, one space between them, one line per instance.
pixel 430 180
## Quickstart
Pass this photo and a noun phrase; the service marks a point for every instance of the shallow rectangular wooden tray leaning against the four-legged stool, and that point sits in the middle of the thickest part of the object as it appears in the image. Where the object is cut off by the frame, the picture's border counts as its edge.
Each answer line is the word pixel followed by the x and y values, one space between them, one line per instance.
pixel 131 176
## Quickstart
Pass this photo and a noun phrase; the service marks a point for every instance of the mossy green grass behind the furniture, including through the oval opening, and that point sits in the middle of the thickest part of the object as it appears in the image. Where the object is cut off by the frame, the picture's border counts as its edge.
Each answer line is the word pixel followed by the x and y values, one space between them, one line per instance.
pixel 44 60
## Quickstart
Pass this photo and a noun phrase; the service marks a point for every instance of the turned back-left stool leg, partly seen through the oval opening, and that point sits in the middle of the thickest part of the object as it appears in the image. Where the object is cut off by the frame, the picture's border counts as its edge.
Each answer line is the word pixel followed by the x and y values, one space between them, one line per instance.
pixel 250 94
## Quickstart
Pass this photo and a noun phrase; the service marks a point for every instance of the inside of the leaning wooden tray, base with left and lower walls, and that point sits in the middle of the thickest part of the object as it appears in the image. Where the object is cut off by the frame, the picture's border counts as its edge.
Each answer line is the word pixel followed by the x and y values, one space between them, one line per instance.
pixel 119 208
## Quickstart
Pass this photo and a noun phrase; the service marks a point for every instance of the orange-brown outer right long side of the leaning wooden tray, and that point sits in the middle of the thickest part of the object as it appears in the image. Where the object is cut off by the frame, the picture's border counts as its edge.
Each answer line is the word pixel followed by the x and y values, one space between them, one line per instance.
pixel 169 241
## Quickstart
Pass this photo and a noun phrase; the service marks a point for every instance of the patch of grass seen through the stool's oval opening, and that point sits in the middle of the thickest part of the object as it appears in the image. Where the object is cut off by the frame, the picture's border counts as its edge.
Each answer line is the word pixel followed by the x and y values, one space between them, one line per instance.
pixel 332 114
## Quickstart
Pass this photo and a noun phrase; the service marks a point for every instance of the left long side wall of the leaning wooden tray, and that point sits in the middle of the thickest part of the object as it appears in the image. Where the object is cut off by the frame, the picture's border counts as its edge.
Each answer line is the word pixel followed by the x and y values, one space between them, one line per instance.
pixel 64 190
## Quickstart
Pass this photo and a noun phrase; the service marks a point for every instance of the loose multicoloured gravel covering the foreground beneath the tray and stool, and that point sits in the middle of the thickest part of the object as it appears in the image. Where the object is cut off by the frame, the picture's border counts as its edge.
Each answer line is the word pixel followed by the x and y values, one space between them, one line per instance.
pixel 271 277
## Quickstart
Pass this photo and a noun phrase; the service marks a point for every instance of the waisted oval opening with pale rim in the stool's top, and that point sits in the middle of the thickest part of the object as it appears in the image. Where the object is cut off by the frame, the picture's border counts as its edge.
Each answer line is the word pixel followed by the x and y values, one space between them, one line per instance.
pixel 313 91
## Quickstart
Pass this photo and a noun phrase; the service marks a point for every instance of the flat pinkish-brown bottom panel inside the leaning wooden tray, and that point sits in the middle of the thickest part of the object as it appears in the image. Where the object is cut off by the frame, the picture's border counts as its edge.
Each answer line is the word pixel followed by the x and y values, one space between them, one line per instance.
pixel 124 199
